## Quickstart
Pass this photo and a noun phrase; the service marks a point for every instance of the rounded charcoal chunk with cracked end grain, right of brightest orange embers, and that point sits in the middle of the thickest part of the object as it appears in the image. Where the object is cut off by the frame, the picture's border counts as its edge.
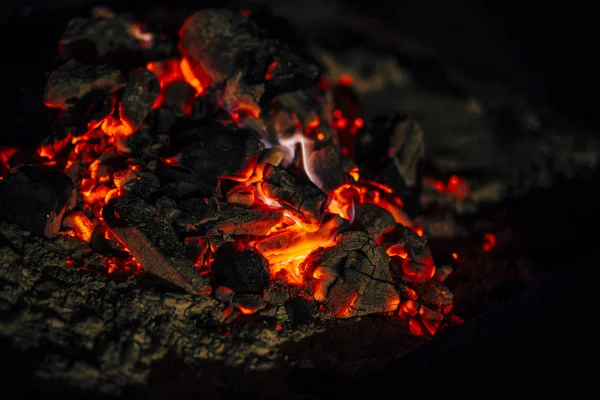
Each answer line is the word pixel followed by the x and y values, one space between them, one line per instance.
pixel 353 277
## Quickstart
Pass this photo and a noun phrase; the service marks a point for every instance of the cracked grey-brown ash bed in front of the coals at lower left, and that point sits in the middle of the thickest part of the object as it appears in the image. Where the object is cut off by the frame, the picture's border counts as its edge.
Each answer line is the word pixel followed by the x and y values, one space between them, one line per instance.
pixel 112 336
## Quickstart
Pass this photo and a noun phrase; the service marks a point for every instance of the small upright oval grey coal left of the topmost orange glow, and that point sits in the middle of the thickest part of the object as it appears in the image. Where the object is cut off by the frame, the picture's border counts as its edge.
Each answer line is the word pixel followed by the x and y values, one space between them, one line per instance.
pixel 140 93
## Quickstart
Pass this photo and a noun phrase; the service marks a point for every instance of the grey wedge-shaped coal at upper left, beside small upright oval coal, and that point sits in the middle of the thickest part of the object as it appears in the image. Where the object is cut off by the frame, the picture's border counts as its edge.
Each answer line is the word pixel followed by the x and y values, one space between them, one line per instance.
pixel 75 81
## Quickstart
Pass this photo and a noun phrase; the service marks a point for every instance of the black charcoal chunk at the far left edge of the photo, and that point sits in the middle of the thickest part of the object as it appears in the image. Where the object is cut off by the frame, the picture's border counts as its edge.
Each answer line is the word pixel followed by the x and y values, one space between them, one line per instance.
pixel 35 198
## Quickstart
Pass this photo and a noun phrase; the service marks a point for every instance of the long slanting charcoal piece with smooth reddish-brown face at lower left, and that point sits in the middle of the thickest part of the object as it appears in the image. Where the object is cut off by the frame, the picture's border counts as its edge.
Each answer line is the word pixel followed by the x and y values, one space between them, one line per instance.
pixel 153 242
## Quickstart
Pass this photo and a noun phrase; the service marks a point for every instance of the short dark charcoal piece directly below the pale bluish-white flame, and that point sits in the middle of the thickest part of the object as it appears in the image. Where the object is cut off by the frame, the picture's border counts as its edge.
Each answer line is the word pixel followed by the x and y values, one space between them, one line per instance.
pixel 302 198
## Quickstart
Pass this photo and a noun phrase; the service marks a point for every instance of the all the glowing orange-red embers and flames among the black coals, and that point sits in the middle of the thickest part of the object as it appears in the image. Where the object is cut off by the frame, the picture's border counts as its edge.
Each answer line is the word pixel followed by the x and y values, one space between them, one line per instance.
pixel 287 244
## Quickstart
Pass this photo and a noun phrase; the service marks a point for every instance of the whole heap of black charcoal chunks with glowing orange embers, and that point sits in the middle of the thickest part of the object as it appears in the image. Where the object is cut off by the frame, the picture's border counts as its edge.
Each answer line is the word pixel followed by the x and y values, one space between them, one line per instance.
pixel 228 171
